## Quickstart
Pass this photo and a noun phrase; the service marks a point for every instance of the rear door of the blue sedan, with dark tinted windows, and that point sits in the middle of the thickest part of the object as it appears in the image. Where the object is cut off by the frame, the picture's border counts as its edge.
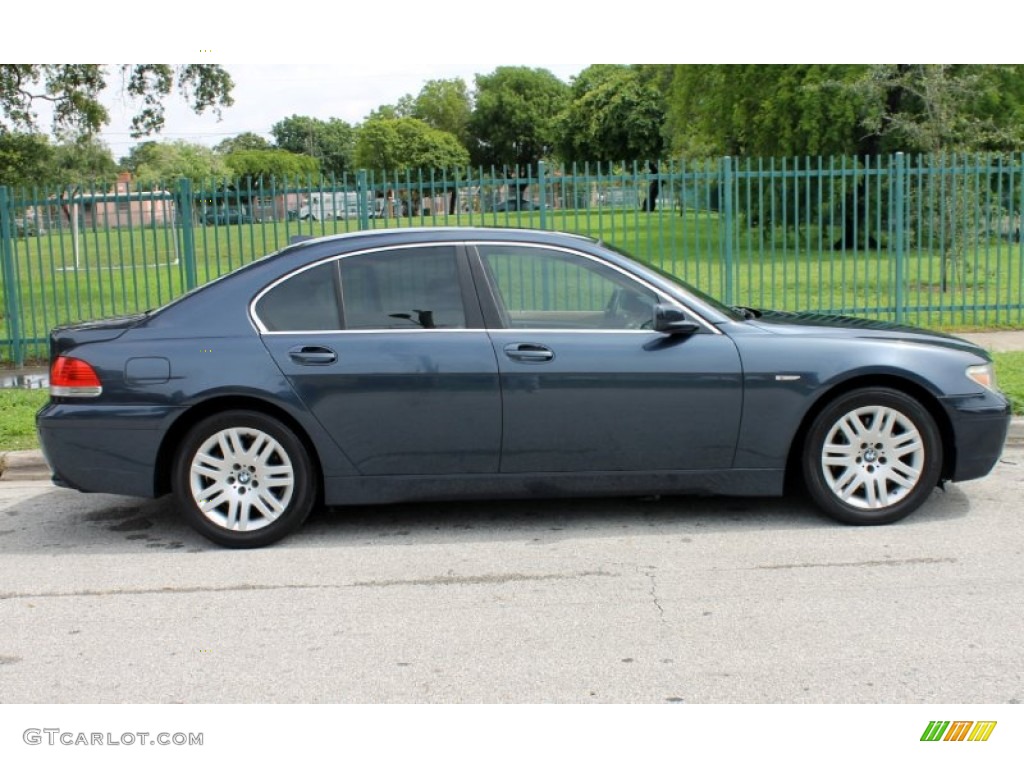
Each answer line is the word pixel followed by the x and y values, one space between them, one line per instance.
pixel 388 350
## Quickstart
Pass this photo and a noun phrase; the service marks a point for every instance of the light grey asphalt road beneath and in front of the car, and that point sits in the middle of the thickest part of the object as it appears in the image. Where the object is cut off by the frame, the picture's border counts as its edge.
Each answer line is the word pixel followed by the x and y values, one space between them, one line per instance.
pixel 109 600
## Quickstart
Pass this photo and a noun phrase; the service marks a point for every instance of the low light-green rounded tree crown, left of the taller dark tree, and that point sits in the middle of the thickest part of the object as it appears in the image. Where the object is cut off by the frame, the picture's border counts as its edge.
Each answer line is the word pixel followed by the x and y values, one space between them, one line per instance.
pixel 407 145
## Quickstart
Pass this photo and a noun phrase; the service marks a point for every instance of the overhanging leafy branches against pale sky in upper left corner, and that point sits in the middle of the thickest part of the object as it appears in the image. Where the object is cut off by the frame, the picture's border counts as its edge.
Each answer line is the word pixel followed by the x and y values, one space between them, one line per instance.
pixel 74 91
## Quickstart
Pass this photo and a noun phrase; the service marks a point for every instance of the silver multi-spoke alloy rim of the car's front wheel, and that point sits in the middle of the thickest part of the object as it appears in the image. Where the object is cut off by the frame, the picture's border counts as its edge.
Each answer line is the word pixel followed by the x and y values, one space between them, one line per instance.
pixel 873 457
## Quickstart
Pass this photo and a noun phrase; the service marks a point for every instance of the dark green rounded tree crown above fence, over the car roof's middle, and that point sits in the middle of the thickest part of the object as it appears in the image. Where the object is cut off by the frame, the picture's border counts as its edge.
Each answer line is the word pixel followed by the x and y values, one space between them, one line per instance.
pixel 515 120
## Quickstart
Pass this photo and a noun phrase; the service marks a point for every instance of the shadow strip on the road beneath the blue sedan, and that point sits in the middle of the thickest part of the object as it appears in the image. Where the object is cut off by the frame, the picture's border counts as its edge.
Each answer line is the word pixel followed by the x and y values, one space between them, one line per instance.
pixel 65 522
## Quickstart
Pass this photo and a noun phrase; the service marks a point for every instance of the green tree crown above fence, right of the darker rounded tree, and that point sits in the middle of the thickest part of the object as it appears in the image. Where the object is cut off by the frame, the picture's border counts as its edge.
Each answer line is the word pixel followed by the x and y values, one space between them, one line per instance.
pixel 614 116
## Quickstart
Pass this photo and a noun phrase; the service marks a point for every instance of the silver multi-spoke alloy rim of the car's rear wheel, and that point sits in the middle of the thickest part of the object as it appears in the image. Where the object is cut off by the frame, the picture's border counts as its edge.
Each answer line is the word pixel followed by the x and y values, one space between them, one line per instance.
pixel 242 480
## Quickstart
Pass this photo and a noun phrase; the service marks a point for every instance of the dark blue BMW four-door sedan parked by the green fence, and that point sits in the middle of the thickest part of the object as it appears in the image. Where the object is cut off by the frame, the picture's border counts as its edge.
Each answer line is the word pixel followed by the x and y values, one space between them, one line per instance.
pixel 442 364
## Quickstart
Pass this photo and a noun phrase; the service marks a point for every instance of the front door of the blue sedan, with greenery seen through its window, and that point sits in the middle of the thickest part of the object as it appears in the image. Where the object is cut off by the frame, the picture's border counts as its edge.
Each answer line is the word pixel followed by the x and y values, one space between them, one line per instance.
pixel 588 387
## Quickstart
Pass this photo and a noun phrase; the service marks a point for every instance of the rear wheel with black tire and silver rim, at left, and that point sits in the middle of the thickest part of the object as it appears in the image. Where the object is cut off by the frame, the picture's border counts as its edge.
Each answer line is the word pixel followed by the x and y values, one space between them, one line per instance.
pixel 243 480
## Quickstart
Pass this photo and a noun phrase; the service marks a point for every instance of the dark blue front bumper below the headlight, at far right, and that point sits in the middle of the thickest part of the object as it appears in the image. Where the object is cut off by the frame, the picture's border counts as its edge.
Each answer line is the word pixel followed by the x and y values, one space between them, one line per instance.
pixel 980 425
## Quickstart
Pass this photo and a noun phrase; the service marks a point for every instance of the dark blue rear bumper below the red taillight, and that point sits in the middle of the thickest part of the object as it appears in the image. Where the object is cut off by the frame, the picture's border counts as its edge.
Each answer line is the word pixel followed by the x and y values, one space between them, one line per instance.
pixel 108 450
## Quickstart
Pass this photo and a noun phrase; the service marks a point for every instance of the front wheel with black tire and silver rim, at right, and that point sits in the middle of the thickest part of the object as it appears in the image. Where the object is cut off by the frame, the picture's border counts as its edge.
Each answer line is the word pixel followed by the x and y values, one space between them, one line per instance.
pixel 873 457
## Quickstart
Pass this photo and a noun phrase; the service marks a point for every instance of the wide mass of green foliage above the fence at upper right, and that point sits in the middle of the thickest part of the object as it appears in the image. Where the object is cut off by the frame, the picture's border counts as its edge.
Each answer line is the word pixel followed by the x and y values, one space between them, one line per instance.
pixel 810 110
